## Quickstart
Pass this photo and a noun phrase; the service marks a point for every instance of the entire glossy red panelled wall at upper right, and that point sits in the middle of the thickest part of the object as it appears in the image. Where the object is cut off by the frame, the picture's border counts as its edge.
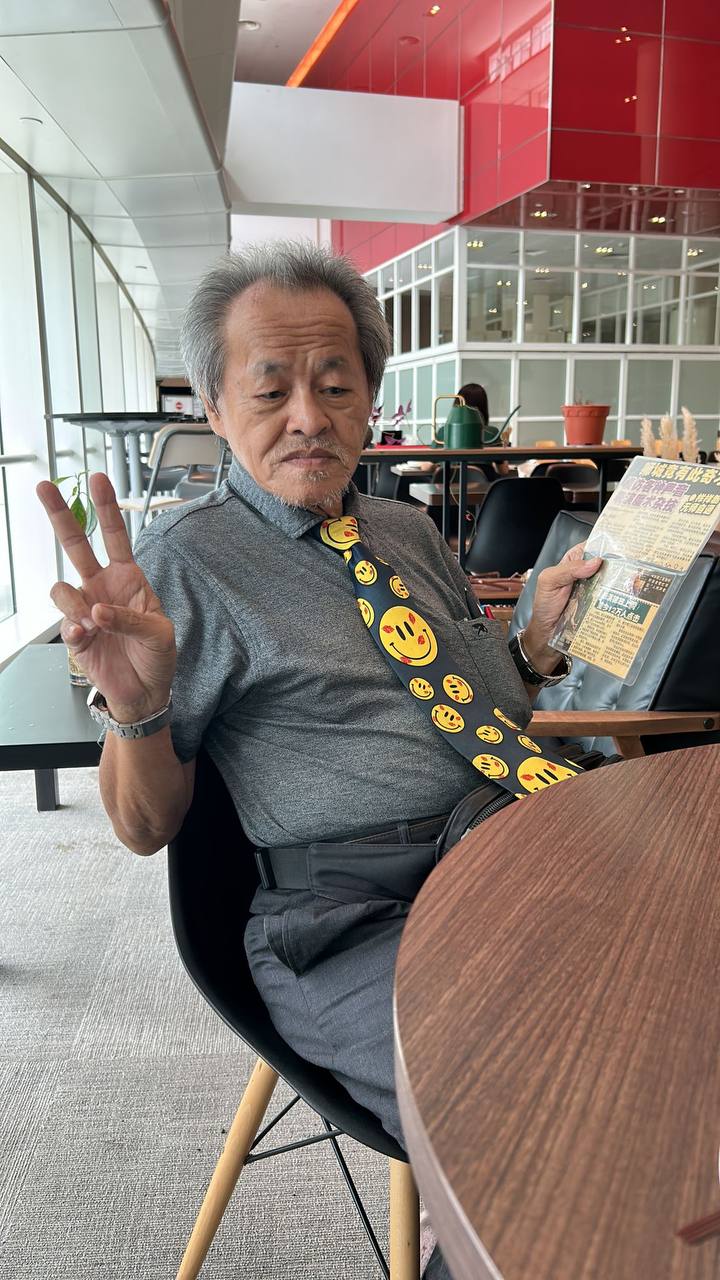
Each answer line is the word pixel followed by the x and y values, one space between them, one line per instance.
pixel 635 94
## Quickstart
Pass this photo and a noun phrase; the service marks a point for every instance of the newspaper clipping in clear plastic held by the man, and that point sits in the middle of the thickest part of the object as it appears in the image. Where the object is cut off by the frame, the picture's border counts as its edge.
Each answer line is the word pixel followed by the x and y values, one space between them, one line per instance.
pixel 649 536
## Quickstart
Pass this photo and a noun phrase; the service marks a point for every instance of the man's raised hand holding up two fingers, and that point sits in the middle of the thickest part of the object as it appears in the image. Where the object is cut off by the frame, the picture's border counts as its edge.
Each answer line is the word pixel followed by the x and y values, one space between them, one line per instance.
pixel 115 623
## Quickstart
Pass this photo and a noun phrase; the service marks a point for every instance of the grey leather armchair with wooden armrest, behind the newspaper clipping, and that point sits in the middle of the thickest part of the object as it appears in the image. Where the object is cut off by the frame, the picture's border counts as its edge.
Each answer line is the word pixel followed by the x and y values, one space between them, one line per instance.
pixel 676 698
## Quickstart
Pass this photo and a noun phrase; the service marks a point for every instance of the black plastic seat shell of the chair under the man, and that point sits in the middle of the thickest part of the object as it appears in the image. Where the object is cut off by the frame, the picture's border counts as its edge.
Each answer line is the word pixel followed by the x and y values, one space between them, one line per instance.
pixel 212 877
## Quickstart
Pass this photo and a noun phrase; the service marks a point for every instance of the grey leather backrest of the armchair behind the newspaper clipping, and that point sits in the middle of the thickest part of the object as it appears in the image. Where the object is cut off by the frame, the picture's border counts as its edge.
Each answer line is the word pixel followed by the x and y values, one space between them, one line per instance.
pixel 682 671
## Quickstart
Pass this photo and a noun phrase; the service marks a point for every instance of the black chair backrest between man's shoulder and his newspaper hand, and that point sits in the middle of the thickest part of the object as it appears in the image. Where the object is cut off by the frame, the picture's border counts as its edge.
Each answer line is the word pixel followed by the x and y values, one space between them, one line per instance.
pixel 513 525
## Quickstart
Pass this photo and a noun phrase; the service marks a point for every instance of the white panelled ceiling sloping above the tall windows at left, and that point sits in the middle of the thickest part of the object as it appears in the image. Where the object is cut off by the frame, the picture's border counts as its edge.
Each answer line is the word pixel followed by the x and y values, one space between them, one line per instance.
pixel 124 136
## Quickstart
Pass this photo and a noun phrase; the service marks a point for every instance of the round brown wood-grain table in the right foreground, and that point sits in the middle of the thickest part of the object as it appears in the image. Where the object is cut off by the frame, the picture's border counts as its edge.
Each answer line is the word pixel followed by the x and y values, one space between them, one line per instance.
pixel 558 1031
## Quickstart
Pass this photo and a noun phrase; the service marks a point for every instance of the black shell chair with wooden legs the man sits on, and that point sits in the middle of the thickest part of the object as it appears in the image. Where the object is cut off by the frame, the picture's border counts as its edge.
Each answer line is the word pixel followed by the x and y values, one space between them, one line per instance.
pixel 212 881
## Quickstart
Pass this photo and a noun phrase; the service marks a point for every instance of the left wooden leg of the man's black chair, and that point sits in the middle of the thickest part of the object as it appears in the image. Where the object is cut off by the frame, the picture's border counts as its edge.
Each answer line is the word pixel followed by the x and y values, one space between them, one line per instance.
pixel 244 1128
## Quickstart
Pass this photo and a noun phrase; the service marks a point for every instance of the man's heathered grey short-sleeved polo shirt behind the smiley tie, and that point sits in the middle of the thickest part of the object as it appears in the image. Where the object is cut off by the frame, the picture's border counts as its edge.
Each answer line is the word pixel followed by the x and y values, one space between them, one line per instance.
pixel 280 679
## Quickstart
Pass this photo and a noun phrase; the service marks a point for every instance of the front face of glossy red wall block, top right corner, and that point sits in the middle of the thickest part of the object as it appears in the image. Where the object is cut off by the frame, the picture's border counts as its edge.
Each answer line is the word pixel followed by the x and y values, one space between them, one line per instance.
pixel 637 106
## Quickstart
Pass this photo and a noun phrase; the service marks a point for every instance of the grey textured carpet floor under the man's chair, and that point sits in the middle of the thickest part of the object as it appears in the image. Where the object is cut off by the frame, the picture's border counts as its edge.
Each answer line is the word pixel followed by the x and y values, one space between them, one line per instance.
pixel 117 1081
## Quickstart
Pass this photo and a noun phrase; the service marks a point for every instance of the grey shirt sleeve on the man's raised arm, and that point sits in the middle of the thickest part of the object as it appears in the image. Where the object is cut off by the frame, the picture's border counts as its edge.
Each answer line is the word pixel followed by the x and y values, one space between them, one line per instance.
pixel 212 655
